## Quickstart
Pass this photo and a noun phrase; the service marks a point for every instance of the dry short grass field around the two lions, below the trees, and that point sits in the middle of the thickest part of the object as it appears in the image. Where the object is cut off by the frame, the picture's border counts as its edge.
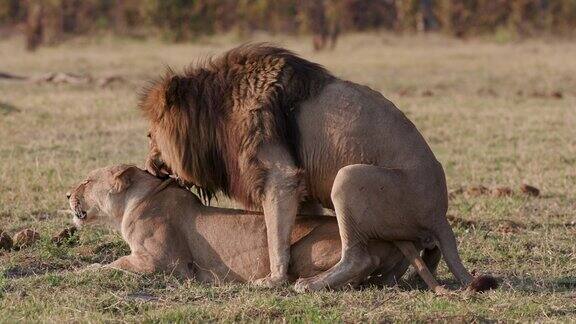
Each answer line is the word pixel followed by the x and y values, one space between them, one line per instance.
pixel 494 114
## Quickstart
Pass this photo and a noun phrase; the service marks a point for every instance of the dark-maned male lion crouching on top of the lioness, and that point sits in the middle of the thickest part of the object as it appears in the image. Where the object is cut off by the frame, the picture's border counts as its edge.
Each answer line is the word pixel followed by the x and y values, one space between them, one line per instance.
pixel 272 130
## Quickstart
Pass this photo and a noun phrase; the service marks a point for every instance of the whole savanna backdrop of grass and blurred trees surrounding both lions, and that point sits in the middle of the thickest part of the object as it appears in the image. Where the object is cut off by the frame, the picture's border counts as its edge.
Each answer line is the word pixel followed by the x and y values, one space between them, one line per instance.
pixel 491 84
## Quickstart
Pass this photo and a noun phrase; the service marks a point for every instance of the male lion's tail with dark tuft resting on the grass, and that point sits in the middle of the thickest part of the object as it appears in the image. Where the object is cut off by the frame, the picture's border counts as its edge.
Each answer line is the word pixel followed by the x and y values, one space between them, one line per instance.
pixel 448 246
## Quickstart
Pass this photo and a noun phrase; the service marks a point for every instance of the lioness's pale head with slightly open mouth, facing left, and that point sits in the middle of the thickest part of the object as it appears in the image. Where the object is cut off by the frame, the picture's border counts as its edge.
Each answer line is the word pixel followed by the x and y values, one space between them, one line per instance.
pixel 101 196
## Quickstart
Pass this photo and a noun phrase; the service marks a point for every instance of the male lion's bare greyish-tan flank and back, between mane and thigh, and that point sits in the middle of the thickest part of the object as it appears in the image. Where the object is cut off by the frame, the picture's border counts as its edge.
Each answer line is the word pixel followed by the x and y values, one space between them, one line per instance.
pixel 352 124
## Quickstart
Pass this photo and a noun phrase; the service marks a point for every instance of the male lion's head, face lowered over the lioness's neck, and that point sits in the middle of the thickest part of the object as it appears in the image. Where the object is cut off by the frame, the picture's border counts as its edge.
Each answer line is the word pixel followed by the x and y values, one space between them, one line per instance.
pixel 181 141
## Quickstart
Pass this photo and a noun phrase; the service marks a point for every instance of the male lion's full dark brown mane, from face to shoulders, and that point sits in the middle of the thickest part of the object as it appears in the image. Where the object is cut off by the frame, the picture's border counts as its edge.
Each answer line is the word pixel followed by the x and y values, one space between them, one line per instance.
pixel 210 121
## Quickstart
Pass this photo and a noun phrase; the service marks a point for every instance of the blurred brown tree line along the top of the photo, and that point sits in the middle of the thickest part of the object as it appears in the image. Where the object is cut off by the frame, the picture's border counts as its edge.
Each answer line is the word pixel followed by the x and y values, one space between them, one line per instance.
pixel 51 21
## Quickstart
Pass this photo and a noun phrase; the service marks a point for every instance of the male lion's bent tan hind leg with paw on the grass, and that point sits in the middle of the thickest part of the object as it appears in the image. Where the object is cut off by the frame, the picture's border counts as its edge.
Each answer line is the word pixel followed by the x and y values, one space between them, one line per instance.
pixel 370 204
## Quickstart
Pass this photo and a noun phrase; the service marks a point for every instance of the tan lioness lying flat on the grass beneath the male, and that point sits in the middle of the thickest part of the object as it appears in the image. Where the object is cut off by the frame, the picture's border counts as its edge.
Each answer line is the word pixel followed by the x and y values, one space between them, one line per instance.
pixel 169 229
